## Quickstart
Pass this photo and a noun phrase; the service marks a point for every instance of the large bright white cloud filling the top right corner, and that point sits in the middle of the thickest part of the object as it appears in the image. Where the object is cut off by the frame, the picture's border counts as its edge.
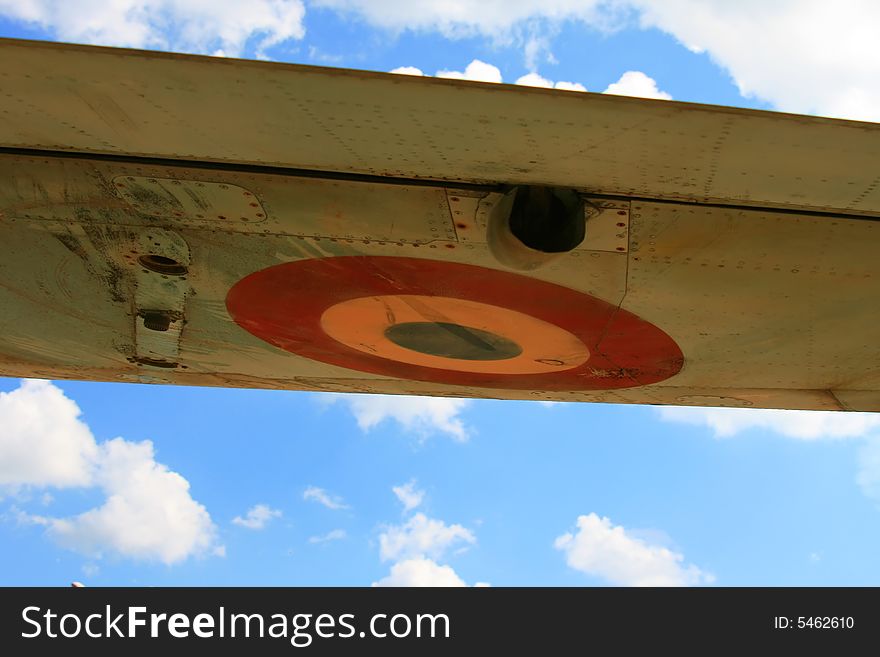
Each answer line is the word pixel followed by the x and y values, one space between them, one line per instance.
pixel 809 56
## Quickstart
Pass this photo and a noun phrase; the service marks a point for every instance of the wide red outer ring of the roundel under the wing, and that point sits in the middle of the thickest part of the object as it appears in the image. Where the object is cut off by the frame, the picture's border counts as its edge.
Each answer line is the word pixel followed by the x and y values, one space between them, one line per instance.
pixel 284 304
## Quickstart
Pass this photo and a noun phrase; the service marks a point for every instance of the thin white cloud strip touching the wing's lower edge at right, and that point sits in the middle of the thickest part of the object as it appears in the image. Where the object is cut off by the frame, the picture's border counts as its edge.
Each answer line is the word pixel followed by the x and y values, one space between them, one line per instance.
pixel 806 425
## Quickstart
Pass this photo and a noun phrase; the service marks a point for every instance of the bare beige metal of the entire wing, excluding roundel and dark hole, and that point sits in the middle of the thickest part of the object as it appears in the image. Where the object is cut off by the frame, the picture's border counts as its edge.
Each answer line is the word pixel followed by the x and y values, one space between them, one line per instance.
pixel 772 304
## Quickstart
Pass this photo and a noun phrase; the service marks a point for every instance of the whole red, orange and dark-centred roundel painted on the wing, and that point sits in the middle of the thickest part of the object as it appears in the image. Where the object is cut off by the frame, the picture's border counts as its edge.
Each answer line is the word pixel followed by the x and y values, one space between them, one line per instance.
pixel 450 323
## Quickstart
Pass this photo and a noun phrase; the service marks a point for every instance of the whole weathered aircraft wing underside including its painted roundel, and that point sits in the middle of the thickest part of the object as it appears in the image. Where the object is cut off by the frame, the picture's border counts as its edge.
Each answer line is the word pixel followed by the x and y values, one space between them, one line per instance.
pixel 191 220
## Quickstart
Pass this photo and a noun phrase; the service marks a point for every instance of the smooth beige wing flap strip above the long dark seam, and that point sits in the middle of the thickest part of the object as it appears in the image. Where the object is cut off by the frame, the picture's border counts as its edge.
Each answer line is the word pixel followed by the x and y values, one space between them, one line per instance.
pixel 105 100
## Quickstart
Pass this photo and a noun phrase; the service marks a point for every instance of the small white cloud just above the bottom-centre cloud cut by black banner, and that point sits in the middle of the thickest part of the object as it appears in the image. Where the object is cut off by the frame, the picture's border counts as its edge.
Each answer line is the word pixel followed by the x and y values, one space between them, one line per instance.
pixel 421 536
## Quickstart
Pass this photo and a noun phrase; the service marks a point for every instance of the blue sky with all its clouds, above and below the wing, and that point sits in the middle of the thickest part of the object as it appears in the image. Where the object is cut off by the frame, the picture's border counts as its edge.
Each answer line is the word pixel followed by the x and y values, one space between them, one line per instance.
pixel 250 487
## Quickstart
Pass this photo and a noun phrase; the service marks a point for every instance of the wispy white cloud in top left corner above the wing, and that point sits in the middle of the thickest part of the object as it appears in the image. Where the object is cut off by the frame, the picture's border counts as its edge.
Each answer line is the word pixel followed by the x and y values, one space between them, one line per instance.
pixel 200 26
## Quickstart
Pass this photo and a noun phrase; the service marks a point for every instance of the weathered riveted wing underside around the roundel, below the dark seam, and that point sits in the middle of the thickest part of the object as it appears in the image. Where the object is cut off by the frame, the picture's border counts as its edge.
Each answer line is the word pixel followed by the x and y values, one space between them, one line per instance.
pixel 770 310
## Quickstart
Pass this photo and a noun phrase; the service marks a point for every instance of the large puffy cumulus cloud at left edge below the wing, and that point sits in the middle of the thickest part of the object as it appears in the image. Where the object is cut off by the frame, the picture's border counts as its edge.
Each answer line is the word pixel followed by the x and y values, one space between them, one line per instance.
pixel 148 512
